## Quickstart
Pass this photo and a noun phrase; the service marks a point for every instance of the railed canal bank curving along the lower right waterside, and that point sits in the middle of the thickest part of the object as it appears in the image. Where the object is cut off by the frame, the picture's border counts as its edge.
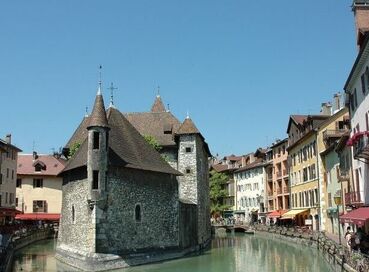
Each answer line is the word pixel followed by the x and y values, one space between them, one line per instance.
pixel 337 256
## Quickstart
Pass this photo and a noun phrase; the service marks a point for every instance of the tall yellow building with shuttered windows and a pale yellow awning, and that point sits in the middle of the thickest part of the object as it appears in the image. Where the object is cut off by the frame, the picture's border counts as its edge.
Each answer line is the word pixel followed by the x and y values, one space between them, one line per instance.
pixel 304 170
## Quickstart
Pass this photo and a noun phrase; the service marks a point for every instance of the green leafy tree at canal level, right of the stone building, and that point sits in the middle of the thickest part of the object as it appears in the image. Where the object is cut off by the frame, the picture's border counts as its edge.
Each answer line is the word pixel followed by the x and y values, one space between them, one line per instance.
pixel 217 192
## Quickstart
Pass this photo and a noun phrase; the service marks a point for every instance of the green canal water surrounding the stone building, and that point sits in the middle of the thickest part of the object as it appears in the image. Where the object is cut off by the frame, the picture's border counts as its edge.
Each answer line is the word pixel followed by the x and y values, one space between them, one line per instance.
pixel 233 253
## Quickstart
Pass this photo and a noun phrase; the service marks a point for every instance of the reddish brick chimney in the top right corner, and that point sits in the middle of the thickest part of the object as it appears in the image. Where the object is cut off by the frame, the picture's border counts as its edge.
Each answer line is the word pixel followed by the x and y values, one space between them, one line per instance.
pixel 361 13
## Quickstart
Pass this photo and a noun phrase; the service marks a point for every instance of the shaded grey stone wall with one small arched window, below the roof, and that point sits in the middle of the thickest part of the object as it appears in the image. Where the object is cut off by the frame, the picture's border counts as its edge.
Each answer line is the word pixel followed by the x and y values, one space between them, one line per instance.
pixel 119 232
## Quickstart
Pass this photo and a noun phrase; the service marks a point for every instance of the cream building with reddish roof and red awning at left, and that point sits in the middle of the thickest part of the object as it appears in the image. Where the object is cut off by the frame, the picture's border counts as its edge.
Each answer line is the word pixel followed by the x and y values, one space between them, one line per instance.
pixel 39 188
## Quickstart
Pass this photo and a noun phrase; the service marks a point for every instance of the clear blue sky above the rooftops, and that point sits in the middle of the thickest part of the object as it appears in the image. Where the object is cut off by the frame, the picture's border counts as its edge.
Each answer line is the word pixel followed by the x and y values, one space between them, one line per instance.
pixel 240 68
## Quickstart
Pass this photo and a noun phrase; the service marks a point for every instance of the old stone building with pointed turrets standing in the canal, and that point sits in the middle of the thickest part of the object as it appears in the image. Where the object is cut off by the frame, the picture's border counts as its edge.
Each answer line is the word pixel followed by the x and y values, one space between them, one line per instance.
pixel 123 204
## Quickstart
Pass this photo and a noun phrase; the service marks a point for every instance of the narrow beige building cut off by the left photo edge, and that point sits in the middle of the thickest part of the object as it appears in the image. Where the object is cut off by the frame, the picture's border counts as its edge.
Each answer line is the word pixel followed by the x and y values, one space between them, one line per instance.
pixel 8 176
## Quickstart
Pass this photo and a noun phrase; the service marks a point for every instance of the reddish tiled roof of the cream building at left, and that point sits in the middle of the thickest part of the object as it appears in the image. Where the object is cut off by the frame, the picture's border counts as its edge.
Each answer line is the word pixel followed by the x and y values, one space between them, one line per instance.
pixel 26 165
